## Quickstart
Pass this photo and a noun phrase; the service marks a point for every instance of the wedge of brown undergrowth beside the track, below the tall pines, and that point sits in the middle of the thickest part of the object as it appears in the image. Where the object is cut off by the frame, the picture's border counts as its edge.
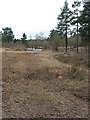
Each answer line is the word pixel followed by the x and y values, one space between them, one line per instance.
pixel 75 59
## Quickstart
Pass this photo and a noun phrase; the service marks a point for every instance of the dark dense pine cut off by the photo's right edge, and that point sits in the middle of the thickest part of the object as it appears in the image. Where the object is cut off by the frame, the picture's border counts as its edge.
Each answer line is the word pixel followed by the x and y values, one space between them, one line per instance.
pixel 84 20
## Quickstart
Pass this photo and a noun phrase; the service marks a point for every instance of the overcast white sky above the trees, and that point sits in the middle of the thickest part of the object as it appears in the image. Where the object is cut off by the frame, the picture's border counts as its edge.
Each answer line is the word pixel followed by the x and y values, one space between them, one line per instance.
pixel 30 16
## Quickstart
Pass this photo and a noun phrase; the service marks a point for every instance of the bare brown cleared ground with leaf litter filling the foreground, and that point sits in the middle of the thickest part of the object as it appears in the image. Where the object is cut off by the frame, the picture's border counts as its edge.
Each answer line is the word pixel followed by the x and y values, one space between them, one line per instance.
pixel 38 84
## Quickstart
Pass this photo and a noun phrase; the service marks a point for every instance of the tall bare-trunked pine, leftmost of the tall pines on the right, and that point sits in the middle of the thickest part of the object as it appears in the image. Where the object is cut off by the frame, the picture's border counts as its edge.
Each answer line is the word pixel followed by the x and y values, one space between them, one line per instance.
pixel 64 22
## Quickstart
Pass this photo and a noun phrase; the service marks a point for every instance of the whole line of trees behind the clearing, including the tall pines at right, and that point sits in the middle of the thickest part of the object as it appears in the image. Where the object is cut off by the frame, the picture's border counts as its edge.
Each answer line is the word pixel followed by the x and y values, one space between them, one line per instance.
pixel 70 23
